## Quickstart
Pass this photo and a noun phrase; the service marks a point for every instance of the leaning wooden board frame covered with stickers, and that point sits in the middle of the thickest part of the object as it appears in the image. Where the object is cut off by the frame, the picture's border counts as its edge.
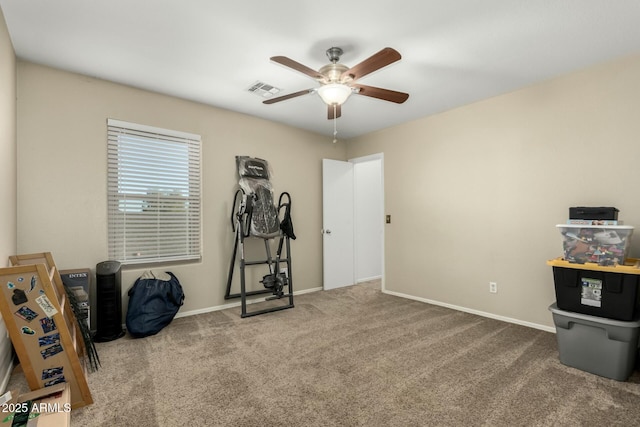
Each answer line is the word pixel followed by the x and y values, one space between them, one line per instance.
pixel 32 295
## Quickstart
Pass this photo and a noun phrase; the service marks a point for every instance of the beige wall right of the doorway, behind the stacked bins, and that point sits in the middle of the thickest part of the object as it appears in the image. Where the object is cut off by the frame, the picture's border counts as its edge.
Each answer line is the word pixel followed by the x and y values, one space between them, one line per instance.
pixel 475 192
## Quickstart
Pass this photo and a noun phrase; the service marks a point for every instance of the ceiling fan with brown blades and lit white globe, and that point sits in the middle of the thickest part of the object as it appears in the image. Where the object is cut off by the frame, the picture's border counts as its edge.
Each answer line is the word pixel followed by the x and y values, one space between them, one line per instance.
pixel 338 82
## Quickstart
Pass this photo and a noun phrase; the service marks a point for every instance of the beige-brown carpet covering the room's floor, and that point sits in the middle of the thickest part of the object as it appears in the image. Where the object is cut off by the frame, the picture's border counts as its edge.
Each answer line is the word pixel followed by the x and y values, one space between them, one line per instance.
pixel 349 357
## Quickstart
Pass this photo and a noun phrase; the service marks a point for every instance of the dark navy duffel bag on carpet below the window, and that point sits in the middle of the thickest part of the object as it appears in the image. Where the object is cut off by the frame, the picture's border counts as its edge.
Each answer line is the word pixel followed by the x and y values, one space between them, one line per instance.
pixel 153 303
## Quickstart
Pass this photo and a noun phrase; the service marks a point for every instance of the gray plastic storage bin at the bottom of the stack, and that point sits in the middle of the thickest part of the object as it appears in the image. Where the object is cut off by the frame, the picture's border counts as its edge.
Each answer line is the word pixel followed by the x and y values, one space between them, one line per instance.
pixel 598 345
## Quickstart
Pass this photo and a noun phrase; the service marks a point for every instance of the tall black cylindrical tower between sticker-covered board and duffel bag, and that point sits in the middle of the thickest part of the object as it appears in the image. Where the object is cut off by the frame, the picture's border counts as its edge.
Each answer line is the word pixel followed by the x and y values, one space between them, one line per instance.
pixel 108 301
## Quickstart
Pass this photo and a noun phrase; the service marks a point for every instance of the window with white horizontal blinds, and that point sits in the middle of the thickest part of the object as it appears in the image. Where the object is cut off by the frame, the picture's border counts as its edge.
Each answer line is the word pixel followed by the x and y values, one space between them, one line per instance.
pixel 153 194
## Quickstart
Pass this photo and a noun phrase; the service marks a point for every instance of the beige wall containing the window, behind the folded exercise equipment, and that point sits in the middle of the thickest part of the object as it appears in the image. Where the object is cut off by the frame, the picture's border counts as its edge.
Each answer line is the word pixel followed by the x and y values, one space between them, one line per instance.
pixel 62 175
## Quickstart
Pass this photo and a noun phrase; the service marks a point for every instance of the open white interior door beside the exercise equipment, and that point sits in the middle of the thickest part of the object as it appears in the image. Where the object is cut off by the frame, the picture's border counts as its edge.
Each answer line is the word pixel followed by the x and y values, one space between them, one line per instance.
pixel 337 224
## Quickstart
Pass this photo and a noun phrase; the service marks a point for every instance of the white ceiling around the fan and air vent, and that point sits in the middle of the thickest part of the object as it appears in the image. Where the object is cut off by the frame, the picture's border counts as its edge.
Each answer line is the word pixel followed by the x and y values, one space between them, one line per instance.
pixel 454 52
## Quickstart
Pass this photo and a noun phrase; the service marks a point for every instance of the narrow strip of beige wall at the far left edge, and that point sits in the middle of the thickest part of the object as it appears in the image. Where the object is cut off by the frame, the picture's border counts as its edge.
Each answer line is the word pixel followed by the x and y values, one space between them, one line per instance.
pixel 7 175
